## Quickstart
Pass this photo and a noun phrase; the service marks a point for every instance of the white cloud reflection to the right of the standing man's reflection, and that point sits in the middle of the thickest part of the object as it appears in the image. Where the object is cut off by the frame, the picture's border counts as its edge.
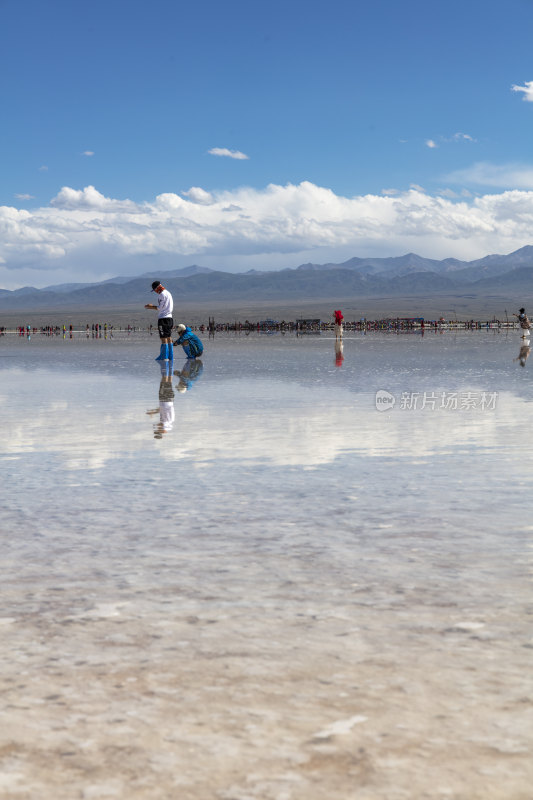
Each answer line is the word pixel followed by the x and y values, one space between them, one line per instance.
pixel 324 431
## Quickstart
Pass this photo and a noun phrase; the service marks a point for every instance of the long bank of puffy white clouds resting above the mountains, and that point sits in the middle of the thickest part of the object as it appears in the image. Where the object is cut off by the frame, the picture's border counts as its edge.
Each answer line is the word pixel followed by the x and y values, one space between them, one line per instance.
pixel 83 235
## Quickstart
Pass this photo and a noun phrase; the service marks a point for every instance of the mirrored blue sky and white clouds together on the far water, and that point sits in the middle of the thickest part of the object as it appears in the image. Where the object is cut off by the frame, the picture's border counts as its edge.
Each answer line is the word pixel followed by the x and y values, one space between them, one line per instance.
pixel 263 401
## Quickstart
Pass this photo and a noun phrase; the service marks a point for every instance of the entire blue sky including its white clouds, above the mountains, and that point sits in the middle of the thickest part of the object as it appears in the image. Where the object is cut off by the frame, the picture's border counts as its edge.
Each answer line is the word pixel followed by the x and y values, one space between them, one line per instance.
pixel 247 135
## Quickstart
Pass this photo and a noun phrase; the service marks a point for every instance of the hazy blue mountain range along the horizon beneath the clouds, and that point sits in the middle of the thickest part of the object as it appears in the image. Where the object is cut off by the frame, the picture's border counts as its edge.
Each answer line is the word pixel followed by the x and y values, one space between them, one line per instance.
pixel 409 274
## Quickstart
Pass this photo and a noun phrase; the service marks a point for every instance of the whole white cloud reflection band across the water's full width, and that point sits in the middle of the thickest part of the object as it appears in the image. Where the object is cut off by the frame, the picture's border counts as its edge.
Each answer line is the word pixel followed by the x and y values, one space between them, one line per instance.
pixel 291 432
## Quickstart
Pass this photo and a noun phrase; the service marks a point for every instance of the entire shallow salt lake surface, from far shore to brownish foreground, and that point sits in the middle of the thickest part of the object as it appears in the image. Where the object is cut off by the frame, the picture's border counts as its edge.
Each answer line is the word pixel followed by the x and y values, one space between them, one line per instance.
pixel 290 573
